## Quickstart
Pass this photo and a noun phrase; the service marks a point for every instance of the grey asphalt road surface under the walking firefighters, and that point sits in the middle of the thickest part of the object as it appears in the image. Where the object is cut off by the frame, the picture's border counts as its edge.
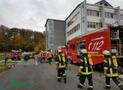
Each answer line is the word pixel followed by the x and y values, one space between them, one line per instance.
pixel 43 77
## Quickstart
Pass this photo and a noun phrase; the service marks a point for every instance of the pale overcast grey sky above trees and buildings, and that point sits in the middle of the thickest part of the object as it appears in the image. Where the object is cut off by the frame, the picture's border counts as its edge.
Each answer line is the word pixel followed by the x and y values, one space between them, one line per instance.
pixel 32 14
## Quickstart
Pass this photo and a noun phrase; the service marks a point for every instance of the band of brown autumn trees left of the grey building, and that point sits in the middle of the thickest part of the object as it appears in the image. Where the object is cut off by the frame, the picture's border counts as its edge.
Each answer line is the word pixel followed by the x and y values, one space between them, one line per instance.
pixel 20 39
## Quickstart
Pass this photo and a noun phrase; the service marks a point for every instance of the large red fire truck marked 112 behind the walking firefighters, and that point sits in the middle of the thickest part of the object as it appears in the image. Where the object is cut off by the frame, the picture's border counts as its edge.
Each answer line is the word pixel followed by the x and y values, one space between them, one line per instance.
pixel 96 42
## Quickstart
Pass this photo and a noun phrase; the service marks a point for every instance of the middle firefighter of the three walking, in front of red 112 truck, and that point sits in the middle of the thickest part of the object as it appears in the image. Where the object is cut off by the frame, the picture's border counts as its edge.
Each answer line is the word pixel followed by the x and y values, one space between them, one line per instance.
pixel 85 69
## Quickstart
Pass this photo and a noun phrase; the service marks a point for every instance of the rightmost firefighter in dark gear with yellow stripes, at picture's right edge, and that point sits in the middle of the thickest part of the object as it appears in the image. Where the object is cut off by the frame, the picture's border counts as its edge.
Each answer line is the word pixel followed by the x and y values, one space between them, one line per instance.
pixel 110 69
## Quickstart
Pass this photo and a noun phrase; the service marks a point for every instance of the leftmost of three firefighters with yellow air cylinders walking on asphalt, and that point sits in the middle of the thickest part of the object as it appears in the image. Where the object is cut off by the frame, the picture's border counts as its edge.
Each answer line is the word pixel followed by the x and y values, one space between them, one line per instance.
pixel 61 65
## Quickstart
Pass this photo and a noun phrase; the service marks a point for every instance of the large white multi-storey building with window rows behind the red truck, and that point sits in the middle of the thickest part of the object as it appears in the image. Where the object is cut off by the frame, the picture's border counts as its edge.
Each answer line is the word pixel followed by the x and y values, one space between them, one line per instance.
pixel 89 17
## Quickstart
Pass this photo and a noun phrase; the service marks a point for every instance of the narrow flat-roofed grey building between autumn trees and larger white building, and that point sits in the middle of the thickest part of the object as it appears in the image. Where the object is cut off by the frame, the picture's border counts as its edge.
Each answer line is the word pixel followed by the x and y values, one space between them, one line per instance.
pixel 55 33
